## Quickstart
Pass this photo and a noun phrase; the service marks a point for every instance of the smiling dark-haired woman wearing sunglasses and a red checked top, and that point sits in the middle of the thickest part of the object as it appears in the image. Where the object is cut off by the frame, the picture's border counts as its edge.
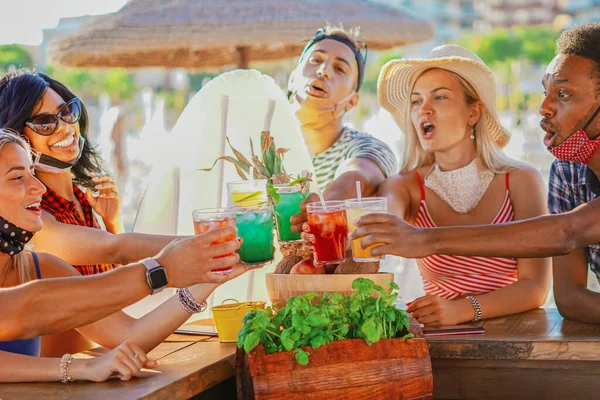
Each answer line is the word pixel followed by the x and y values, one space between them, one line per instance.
pixel 55 123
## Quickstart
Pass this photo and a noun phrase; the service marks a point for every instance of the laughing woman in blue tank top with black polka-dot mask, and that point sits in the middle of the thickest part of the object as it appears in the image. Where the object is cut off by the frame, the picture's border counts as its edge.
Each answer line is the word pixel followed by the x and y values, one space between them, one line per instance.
pixel 130 339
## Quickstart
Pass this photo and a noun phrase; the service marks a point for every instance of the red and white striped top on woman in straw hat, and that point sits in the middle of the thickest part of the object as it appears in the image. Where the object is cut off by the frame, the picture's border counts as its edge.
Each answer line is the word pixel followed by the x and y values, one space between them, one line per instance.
pixel 453 276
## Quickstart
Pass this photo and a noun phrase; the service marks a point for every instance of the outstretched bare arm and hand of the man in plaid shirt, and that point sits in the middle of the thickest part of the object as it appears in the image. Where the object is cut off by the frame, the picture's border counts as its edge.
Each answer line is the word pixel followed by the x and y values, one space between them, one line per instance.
pixel 545 236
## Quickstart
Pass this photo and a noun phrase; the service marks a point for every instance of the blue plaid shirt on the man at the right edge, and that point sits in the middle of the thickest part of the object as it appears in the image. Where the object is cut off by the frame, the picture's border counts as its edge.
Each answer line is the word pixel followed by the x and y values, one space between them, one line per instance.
pixel 571 185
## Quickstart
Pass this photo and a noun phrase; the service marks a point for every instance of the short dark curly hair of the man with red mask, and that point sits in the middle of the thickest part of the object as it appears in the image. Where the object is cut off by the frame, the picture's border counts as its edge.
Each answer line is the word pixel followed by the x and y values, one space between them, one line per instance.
pixel 582 41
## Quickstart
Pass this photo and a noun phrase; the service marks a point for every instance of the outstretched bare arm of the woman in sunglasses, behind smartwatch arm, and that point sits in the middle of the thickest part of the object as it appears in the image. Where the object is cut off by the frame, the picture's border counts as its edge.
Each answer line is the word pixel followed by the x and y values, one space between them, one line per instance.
pixel 95 246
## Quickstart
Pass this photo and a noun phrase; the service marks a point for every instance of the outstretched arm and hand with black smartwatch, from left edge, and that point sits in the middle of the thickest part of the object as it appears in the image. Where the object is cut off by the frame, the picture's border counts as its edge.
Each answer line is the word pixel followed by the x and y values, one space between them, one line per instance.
pixel 45 306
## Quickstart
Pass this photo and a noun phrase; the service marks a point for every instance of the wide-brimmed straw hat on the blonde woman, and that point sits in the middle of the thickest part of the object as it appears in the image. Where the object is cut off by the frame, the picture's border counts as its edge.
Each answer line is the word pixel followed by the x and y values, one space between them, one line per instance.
pixel 398 77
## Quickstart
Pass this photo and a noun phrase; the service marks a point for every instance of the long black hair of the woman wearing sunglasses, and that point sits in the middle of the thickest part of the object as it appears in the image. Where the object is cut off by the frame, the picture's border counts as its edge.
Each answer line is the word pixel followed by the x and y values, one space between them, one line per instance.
pixel 21 91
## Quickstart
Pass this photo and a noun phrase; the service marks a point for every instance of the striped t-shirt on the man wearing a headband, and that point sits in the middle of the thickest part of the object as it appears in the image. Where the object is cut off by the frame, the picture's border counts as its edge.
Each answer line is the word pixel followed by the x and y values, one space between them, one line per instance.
pixel 353 144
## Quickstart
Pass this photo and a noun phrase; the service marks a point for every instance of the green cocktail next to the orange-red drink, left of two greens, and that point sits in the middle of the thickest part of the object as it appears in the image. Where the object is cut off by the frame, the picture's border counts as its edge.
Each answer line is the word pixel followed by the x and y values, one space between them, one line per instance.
pixel 255 227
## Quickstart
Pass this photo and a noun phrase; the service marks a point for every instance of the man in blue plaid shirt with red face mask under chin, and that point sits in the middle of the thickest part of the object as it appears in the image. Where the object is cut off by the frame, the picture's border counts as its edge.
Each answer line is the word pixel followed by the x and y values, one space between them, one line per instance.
pixel 571 120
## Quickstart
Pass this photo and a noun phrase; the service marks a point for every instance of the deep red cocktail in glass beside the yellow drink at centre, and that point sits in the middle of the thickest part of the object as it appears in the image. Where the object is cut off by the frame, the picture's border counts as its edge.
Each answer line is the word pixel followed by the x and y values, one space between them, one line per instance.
pixel 328 225
